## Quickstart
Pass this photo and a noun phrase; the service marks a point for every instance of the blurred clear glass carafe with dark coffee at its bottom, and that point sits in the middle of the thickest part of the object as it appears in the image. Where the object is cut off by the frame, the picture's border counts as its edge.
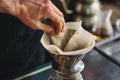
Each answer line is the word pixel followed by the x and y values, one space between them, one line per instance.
pixel 103 28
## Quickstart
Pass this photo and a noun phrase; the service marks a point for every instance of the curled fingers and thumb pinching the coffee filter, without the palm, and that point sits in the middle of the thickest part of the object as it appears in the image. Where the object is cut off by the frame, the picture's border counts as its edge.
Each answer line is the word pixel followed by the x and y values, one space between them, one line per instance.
pixel 50 11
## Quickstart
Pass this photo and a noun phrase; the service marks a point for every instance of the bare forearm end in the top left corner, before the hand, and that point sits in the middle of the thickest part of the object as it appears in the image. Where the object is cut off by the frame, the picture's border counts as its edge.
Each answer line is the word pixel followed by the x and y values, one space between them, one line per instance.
pixel 7 6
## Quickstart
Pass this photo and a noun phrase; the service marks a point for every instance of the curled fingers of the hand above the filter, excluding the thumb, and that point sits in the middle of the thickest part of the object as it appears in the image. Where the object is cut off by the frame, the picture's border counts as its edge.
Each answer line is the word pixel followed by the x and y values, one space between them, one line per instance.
pixel 52 13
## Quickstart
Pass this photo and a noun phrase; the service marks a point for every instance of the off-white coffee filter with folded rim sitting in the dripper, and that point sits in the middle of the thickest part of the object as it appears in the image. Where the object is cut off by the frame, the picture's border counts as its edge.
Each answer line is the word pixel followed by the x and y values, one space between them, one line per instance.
pixel 73 40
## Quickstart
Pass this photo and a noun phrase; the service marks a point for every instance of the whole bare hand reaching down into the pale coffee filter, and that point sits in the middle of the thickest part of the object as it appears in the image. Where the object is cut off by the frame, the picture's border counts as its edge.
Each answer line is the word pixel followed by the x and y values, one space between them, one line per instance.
pixel 32 12
